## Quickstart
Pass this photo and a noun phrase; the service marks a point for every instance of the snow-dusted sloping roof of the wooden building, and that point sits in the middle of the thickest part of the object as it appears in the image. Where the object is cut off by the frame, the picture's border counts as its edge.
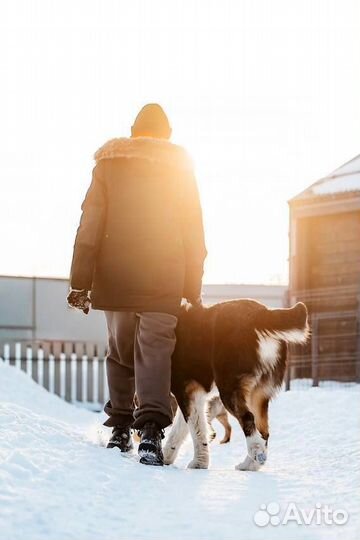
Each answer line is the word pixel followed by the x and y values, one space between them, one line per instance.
pixel 343 180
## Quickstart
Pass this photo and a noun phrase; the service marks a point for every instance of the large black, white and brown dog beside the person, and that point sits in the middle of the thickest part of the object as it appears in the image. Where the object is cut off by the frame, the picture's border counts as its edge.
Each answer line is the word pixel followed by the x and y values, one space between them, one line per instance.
pixel 239 346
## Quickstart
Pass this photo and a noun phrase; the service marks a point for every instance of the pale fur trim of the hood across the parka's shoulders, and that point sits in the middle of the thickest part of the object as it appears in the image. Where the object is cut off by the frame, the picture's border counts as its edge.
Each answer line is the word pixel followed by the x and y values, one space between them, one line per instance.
pixel 152 149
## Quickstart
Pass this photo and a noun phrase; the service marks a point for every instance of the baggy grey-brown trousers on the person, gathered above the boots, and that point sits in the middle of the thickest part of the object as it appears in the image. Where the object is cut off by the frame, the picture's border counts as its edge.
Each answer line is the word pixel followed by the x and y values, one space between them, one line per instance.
pixel 138 360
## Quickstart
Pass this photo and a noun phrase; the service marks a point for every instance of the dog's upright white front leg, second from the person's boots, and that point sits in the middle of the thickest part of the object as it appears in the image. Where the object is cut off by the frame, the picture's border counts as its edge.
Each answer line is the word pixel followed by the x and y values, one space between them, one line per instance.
pixel 199 431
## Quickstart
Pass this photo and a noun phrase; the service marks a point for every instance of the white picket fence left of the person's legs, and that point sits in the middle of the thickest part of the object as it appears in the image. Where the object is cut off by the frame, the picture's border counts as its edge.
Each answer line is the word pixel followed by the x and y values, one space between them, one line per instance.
pixel 73 371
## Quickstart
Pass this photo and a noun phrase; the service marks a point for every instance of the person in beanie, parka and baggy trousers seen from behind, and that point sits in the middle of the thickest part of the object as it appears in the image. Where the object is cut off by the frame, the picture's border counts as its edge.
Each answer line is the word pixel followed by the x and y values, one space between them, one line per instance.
pixel 139 250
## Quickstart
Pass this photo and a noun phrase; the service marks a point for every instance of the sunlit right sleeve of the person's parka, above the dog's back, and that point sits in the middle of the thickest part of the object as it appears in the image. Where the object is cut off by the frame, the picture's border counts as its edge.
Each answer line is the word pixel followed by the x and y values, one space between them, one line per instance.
pixel 193 238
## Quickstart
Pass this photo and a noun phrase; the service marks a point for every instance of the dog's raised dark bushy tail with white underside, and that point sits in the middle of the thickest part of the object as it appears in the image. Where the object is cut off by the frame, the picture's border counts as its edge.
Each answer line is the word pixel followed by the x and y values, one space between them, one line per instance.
pixel 288 324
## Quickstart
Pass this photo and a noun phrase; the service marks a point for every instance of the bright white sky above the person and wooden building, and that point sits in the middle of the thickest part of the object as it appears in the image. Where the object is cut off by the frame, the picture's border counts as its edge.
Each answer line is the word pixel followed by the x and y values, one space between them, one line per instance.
pixel 264 96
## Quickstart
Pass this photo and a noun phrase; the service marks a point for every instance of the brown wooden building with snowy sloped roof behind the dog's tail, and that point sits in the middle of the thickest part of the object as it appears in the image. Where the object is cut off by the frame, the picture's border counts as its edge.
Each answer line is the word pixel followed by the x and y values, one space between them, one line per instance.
pixel 325 274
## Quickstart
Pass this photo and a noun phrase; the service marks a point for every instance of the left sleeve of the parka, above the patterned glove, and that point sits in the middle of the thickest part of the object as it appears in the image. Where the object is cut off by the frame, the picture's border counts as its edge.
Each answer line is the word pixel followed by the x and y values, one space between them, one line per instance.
pixel 88 234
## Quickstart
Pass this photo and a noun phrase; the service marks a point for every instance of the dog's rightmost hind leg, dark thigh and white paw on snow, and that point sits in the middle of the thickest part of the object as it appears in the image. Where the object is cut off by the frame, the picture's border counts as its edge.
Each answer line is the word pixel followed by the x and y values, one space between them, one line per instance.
pixel 236 404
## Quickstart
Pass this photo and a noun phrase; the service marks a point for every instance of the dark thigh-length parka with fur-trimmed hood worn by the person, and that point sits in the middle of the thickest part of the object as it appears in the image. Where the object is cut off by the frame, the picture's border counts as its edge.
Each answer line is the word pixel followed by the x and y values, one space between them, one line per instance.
pixel 140 243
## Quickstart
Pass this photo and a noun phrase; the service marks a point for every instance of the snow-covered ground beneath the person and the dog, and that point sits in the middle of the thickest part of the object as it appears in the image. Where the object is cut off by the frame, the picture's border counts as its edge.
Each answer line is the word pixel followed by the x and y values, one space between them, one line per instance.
pixel 58 483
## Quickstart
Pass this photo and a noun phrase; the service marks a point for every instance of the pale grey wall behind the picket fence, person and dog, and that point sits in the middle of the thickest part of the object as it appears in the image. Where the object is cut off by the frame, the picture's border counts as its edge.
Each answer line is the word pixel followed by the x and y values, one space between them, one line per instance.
pixel 36 308
